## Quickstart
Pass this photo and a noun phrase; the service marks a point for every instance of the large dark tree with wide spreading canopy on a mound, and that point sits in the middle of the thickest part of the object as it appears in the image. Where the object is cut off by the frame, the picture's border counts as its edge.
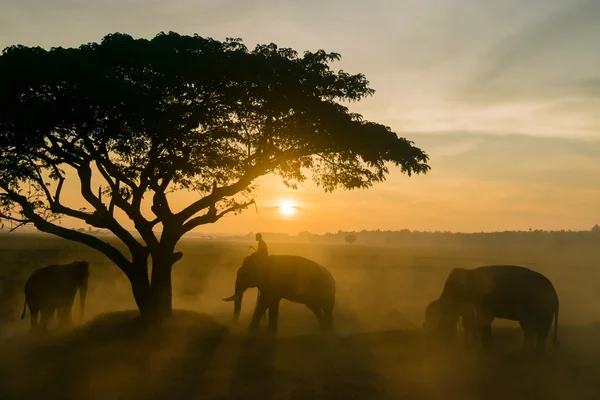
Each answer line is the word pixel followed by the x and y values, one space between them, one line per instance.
pixel 135 120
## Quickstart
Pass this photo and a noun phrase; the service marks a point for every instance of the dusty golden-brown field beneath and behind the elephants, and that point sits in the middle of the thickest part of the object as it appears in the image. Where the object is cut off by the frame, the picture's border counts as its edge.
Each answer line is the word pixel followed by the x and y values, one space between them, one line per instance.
pixel 378 351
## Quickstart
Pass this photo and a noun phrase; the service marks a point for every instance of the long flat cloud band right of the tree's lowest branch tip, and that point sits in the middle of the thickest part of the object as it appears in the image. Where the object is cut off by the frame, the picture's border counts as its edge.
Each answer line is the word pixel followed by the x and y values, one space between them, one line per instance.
pixel 564 164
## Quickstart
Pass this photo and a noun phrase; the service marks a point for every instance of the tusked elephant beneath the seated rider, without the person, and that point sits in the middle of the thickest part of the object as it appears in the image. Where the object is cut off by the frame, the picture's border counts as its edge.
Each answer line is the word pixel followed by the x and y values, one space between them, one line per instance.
pixel 289 277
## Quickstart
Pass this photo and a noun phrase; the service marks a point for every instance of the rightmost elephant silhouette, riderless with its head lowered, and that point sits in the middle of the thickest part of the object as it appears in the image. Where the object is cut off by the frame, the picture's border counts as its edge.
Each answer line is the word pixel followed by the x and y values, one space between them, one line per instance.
pixel 500 291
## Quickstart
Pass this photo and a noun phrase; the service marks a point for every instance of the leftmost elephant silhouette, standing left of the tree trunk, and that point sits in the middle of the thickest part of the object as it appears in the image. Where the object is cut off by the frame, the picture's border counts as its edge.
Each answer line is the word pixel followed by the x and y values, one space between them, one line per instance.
pixel 52 289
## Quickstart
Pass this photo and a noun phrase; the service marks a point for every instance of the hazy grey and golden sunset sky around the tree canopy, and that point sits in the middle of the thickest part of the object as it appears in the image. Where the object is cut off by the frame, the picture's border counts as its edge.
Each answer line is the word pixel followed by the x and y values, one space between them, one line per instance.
pixel 502 95
